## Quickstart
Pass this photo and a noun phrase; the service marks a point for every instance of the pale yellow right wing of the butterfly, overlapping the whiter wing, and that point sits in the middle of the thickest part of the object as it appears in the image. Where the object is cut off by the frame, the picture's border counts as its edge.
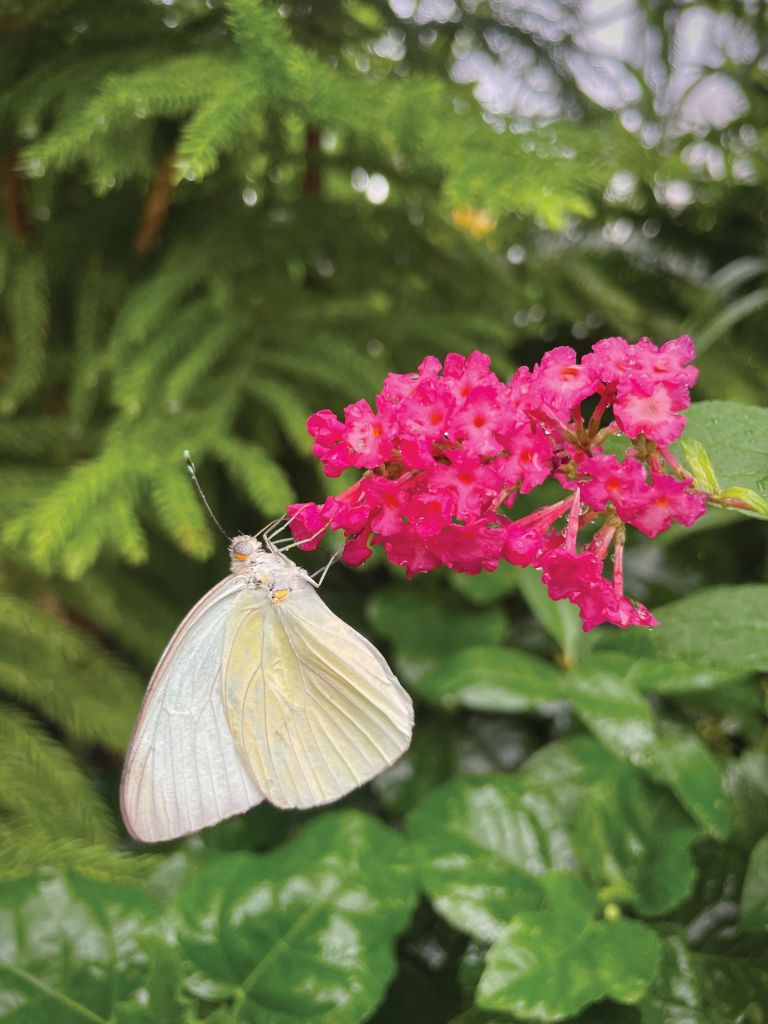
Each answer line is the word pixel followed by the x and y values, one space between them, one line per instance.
pixel 313 707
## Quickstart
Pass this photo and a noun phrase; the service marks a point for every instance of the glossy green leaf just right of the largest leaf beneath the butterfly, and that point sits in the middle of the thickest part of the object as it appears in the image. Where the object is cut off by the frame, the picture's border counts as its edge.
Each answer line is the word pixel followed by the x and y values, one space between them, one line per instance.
pixel 480 845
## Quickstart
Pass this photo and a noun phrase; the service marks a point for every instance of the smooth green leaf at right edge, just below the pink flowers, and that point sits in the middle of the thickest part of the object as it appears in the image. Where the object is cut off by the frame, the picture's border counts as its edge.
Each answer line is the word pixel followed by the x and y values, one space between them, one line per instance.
pixel 717 627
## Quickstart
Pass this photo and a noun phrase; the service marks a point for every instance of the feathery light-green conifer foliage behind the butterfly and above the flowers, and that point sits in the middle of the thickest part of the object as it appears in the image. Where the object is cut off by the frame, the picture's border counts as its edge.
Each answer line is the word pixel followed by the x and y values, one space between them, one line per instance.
pixel 193 258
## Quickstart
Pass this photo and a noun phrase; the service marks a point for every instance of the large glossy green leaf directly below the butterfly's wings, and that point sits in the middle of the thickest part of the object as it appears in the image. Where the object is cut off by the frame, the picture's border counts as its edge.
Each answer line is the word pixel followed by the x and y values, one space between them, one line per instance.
pixel 305 932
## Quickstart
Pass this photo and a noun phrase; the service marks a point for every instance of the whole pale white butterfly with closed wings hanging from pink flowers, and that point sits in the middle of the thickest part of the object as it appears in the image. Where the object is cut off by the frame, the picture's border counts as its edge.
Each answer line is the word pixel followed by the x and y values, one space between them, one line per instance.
pixel 264 694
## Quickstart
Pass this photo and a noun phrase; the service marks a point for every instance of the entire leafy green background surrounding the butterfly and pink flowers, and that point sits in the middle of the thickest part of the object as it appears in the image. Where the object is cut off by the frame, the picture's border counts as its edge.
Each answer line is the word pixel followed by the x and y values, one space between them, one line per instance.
pixel 222 217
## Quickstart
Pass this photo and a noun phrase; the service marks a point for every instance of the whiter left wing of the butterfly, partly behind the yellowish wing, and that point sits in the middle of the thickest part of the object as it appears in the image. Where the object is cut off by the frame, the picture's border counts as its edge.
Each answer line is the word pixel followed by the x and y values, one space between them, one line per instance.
pixel 183 771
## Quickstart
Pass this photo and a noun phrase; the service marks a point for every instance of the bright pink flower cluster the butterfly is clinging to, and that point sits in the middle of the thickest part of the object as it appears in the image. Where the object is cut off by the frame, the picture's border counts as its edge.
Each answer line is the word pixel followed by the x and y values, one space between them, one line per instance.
pixel 447 451
